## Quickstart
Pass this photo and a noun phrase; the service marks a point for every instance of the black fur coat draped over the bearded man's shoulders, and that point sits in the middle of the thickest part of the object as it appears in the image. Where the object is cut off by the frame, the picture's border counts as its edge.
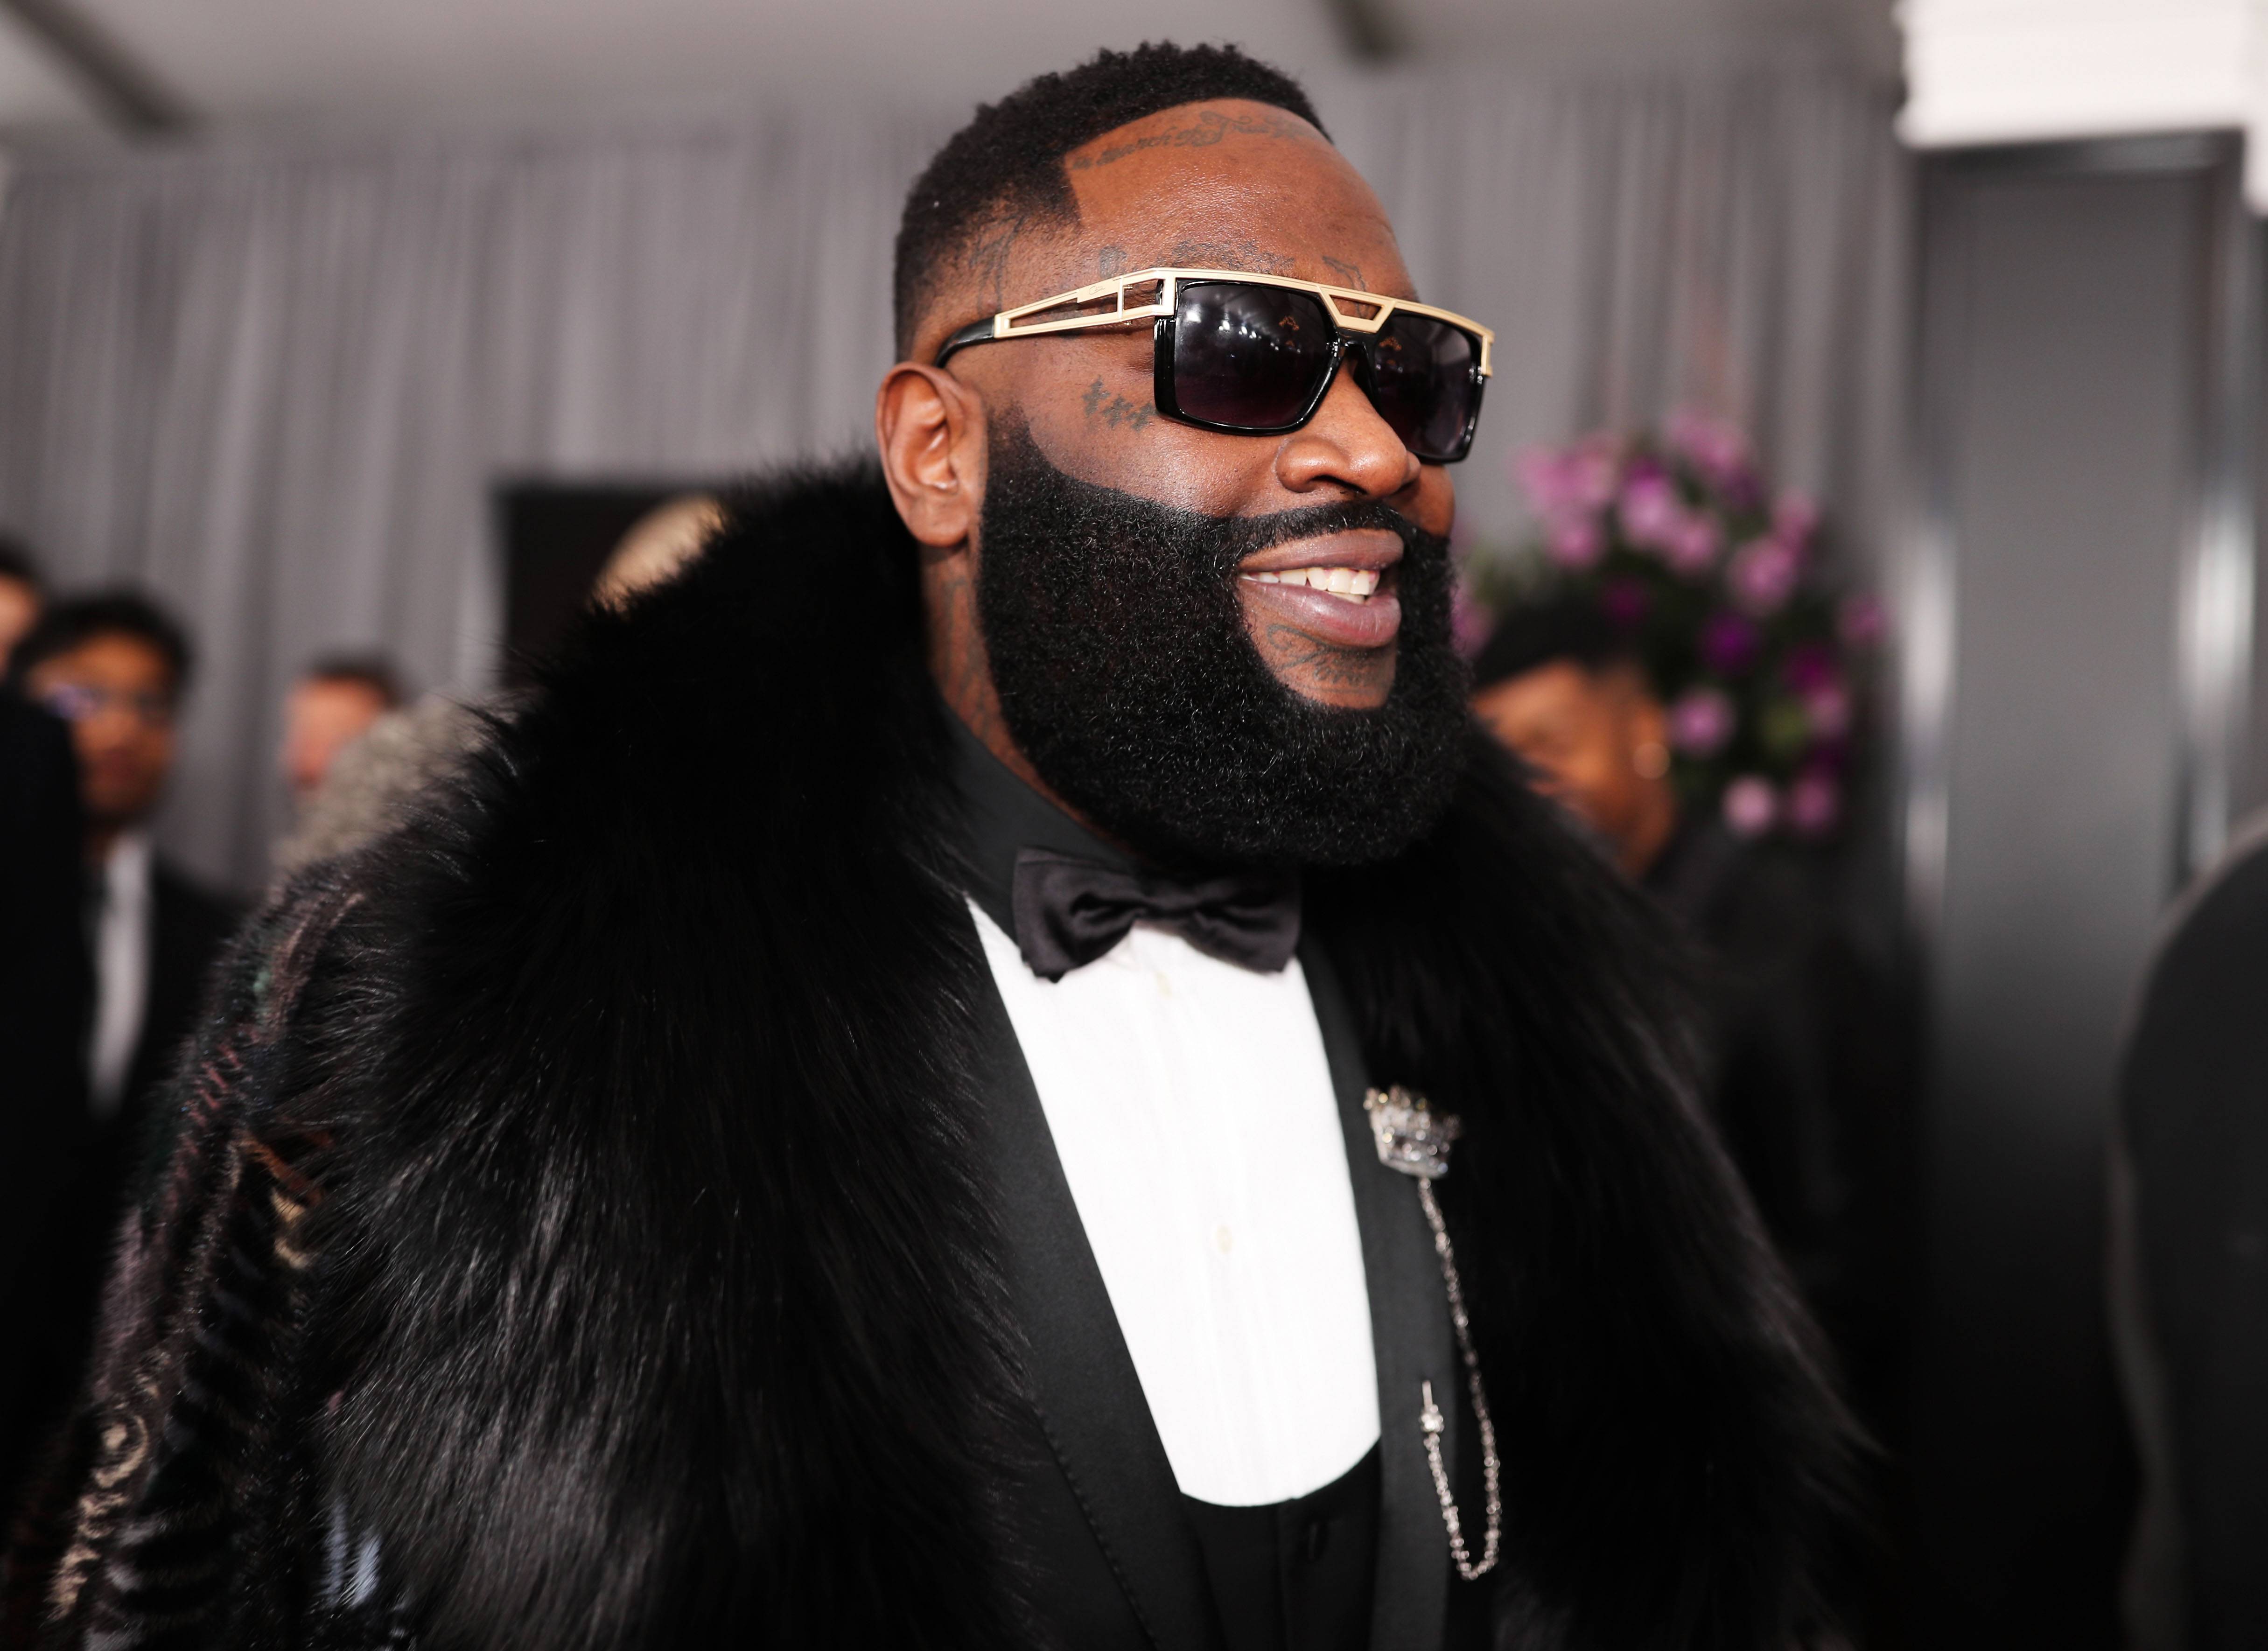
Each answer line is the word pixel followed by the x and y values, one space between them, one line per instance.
pixel 575 1235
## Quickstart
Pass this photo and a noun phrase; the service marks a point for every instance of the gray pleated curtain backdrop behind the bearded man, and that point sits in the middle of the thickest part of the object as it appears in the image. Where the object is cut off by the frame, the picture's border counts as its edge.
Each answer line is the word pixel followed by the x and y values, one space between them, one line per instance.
pixel 278 380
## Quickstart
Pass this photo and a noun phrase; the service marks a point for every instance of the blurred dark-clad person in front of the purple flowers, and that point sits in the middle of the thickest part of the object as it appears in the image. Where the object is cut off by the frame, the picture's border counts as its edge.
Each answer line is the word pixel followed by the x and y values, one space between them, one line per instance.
pixel 1806 1051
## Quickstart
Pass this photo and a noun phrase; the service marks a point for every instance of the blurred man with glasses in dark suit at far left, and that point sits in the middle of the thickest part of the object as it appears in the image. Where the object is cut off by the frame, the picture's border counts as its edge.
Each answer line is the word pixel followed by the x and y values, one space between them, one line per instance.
pixel 112 670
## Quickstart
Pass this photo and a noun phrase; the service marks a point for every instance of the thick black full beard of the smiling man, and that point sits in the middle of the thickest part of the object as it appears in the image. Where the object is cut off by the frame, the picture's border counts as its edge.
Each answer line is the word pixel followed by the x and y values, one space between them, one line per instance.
pixel 1128 679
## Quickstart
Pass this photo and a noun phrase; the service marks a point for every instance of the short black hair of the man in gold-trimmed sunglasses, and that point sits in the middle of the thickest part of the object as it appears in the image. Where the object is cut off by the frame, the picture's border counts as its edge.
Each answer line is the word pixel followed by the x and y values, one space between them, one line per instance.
pixel 1008 162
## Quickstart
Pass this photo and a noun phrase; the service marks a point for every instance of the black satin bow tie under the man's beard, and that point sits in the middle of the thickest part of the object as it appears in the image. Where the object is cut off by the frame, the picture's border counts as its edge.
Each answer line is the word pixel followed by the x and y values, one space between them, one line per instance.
pixel 1072 911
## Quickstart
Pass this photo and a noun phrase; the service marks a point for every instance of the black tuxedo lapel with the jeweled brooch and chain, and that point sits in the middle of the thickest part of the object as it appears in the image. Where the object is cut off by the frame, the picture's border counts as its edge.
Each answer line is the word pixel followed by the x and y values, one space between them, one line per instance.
pixel 1412 1341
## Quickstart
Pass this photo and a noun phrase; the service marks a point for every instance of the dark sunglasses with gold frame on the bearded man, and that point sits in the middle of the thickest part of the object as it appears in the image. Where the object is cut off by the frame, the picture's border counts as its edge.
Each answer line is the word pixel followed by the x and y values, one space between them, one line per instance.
pixel 1255 355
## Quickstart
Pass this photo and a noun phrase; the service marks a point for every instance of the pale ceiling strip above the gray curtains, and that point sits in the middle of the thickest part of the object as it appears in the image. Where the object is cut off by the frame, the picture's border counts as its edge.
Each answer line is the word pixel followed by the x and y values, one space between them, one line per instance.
pixel 389 60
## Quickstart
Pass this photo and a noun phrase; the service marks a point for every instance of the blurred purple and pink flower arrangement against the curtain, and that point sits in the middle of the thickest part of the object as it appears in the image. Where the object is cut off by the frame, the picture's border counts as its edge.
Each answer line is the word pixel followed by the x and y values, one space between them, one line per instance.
pixel 1718 586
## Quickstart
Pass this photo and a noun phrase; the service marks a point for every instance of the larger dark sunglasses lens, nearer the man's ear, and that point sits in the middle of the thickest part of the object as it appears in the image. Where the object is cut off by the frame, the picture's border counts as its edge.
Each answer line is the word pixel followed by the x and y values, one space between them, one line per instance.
pixel 1249 357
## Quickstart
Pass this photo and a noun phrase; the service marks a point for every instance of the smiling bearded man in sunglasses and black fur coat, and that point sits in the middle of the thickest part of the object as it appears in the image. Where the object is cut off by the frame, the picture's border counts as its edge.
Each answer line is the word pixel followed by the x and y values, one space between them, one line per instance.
pixel 997 1065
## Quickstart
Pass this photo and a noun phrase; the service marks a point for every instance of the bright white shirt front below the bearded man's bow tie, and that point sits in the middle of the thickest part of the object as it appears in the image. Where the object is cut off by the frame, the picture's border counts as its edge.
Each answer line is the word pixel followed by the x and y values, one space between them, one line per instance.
pixel 1194 1115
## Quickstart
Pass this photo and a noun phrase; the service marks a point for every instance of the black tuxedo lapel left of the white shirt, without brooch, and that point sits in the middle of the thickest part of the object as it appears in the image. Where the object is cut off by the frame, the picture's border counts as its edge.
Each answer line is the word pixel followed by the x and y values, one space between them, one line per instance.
pixel 1078 1371
